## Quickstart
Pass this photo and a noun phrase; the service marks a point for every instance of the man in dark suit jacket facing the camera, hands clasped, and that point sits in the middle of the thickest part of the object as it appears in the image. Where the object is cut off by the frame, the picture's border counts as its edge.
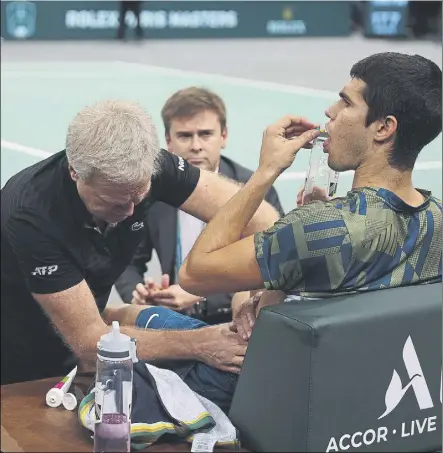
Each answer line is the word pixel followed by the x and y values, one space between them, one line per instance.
pixel 195 129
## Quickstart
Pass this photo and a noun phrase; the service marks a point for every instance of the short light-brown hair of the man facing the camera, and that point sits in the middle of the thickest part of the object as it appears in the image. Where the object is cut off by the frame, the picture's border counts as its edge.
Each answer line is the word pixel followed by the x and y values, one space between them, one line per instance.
pixel 189 101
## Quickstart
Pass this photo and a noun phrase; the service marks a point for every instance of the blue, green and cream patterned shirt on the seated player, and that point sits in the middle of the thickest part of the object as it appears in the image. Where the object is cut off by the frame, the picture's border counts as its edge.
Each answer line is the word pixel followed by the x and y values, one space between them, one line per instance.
pixel 368 240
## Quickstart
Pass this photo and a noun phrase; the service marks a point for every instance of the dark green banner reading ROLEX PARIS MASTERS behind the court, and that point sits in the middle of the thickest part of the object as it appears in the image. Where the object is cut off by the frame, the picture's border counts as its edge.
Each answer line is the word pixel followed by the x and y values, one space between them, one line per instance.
pixel 85 20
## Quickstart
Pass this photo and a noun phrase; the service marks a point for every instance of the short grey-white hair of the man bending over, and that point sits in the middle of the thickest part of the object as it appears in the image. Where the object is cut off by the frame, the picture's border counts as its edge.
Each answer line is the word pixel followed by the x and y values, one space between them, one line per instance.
pixel 115 139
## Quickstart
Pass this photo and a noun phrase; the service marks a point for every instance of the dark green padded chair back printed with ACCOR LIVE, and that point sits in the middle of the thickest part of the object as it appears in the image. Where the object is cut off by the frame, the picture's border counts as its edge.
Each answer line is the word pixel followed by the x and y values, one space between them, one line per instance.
pixel 355 373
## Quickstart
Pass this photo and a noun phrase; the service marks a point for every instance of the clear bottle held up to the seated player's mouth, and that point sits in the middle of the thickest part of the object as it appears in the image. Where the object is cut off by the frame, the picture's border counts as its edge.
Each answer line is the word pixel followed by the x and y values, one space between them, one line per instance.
pixel 321 181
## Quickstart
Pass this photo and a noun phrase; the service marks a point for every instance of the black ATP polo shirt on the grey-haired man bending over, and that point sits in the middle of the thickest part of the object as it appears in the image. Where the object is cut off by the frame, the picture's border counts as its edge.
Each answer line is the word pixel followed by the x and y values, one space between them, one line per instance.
pixel 49 244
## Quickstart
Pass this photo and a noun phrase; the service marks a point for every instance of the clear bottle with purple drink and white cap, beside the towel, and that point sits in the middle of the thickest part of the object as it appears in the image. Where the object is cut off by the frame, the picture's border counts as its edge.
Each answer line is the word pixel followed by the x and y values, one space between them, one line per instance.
pixel 113 391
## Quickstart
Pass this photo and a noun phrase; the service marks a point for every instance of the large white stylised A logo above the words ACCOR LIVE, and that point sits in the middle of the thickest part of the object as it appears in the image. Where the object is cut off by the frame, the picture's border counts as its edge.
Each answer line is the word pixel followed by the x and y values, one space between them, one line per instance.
pixel 396 391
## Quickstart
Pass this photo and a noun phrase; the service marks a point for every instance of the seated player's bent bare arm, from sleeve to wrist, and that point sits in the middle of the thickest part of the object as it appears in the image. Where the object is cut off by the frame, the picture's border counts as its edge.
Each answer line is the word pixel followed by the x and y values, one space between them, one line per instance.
pixel 221 261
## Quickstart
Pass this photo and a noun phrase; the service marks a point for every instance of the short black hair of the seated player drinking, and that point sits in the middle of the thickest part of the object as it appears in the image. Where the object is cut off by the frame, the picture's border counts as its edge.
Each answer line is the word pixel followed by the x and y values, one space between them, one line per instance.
pixel 408 87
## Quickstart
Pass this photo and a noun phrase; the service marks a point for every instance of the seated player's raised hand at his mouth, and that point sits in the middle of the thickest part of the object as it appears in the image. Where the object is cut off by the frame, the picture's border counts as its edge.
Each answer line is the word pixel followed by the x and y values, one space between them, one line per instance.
pixel 281 142
